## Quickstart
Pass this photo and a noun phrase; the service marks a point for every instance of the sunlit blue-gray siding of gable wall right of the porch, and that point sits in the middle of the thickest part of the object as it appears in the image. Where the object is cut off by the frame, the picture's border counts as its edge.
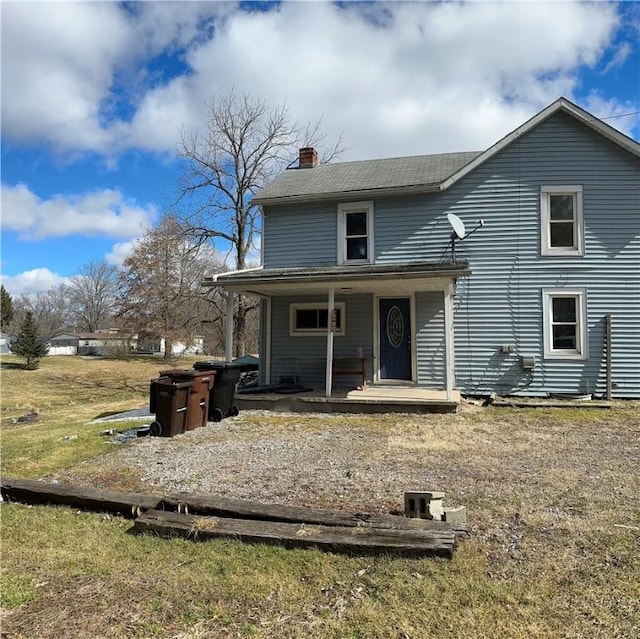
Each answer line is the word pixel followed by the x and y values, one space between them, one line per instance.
pixel 502 301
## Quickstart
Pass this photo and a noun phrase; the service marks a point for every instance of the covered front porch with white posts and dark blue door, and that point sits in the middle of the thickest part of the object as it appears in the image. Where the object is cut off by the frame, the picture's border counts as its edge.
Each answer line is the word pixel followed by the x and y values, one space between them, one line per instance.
pixel 382 332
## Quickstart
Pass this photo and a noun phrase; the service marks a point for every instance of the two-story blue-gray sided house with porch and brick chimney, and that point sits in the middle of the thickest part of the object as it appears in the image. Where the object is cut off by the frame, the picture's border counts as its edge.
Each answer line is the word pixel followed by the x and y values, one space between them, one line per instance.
pixel 360 266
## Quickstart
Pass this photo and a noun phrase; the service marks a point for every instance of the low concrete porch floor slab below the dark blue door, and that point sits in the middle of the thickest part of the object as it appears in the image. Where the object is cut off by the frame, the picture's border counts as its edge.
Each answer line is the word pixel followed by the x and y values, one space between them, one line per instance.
pixel 372 400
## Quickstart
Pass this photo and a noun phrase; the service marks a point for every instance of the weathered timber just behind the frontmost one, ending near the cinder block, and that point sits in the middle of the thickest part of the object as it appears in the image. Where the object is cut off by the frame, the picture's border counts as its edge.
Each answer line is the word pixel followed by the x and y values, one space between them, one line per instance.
pixel 194 503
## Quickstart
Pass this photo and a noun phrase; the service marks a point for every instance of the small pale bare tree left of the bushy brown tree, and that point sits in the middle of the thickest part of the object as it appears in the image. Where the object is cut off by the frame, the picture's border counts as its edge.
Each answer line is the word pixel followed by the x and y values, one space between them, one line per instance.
pixel 93 291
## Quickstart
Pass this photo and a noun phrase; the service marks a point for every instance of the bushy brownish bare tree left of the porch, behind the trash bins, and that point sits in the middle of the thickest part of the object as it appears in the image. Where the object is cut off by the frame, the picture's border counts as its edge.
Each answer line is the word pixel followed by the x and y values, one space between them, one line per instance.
pixel 159 288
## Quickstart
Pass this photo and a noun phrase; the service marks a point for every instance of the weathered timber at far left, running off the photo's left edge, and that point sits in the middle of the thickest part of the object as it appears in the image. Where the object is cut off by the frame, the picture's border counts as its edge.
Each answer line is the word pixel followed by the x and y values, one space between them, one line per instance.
pixel 38 492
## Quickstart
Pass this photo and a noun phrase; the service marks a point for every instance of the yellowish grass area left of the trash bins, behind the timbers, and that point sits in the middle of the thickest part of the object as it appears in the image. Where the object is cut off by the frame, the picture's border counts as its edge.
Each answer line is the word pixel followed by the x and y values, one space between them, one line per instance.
pixel 68 392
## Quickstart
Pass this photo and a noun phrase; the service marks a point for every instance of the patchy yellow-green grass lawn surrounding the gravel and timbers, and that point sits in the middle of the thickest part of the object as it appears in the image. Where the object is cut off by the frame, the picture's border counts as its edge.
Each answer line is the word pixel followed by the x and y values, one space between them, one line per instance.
pixel 552 495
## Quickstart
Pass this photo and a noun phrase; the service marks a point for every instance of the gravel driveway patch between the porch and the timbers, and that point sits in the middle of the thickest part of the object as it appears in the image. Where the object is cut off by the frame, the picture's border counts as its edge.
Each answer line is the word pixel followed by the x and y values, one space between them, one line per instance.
pixel 361 462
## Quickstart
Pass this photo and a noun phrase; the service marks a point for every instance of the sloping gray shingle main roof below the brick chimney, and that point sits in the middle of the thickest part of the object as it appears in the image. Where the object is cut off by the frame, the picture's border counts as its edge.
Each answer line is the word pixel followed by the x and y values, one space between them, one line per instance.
pixel 364 176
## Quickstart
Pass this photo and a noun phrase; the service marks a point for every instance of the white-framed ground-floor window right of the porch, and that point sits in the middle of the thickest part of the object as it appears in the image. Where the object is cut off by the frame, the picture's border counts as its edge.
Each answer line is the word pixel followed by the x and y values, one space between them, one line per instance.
pixel 564 324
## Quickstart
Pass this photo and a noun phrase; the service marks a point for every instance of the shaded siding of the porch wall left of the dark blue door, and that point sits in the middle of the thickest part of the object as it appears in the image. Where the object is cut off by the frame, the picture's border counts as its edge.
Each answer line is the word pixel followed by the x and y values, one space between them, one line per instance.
pixel 305 357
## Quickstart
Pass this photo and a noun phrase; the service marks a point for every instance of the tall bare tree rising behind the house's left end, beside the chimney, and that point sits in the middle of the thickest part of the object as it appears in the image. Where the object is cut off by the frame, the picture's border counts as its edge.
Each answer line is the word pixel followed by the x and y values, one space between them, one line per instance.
pixel 245 145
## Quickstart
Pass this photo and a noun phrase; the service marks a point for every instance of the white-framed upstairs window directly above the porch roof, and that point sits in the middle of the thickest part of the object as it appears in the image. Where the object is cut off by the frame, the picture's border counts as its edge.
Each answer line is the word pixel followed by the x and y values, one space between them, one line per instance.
pixel 355 233
